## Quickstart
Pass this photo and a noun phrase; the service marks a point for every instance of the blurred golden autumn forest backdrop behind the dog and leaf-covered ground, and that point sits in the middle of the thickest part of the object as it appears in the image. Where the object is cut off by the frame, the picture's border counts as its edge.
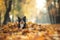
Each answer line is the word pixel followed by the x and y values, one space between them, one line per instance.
pixel 36 11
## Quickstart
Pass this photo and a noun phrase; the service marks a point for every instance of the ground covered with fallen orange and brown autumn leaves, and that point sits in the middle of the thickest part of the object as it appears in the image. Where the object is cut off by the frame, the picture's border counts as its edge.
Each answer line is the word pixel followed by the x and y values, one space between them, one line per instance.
pixel 32 31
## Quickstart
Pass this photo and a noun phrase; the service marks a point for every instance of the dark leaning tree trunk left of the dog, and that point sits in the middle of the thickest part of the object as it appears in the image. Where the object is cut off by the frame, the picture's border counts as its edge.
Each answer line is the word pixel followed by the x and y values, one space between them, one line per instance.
pixel 8 4
